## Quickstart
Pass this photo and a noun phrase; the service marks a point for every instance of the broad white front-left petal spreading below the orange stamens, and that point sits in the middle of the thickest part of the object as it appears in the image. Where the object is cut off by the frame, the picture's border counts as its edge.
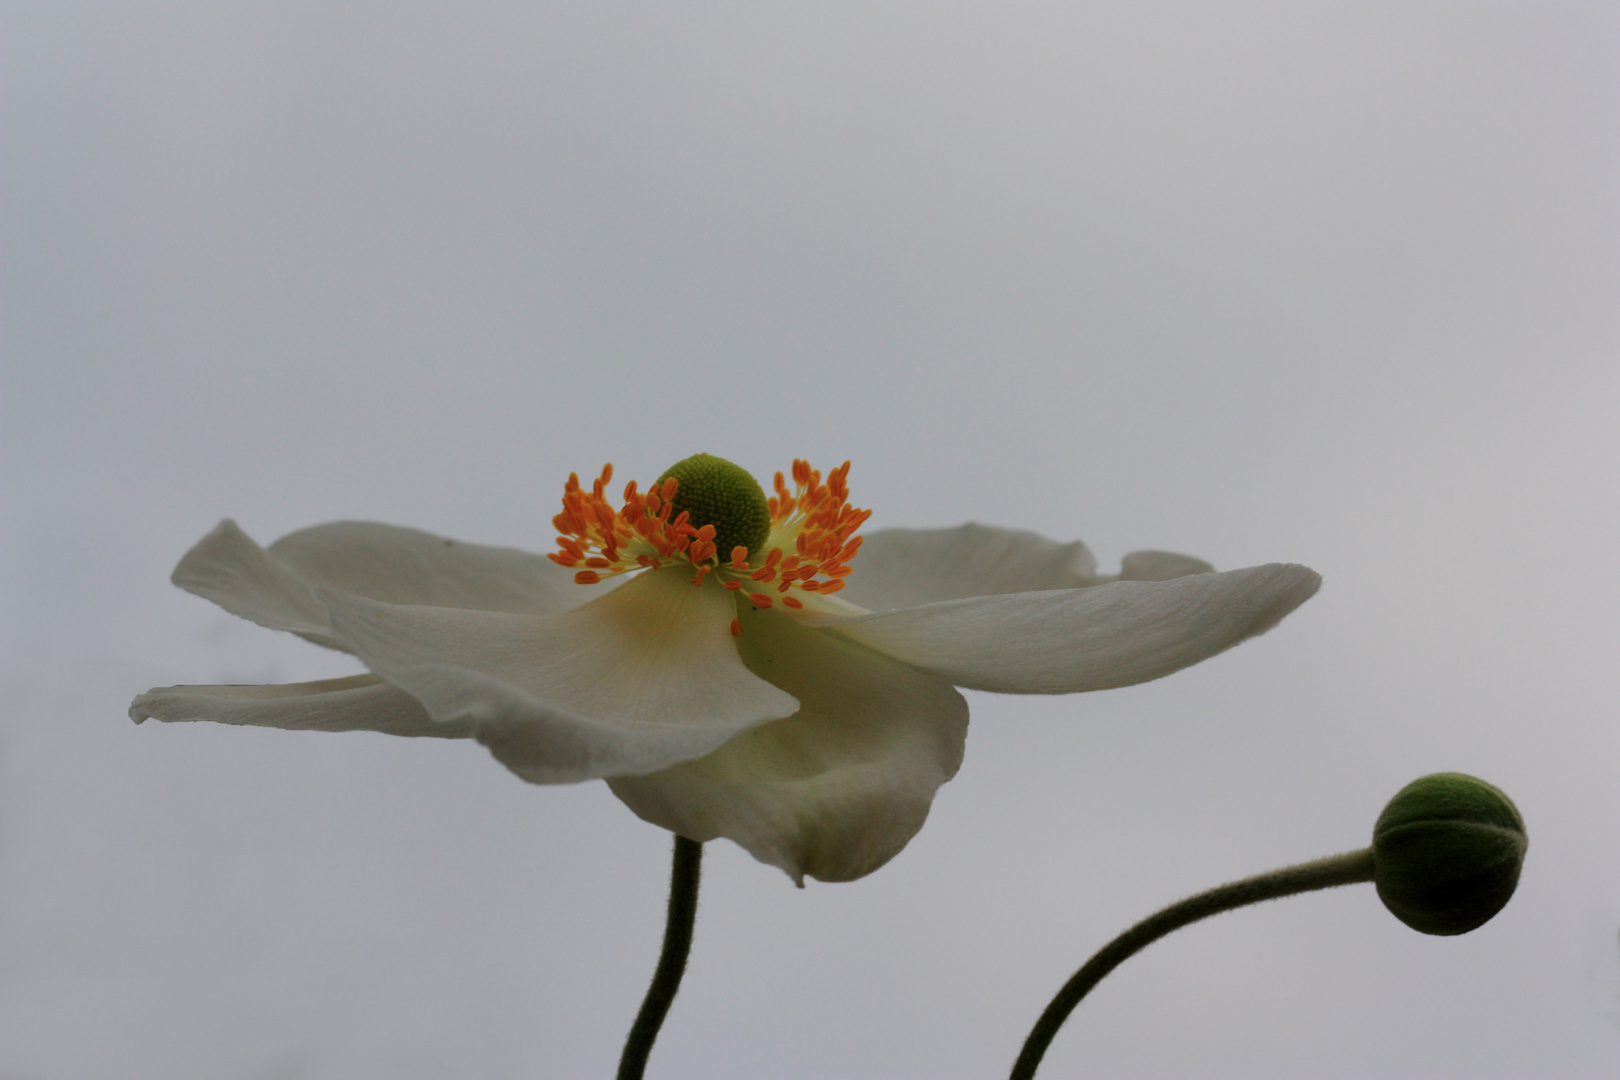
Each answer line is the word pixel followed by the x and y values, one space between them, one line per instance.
pixel 636 681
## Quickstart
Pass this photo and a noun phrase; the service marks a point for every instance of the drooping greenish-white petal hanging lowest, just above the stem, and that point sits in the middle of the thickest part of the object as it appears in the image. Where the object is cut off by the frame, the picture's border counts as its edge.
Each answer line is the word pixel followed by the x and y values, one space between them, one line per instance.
pixel 837 789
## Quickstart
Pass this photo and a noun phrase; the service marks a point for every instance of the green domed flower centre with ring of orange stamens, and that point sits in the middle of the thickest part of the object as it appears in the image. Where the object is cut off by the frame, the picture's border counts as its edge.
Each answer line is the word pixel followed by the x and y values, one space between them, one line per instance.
pixel 710 514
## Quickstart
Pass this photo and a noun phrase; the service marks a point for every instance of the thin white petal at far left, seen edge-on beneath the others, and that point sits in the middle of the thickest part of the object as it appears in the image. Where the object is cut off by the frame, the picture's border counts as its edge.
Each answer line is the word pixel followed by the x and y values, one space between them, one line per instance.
pixel 359 704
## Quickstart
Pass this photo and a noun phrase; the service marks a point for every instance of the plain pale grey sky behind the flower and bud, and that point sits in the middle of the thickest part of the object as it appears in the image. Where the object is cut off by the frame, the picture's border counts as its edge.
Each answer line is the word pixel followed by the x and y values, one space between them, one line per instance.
pixel 1332 284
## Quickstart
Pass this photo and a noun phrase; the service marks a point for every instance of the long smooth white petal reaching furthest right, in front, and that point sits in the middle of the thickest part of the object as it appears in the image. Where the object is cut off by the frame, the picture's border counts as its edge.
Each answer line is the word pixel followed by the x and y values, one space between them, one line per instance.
pixel 1109 636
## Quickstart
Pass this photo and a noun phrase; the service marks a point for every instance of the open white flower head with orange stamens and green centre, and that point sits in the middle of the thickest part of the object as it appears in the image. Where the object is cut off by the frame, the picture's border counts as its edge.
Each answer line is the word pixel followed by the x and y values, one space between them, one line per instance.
pixel 733 699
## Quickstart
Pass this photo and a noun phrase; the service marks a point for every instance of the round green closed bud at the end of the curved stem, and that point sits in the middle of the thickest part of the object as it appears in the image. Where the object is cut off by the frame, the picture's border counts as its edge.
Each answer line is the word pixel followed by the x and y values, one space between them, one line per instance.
pixel 1447 854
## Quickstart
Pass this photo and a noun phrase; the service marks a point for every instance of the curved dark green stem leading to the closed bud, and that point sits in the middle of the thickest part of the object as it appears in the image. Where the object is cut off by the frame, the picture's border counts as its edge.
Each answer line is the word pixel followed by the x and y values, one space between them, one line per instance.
pixel 1324 874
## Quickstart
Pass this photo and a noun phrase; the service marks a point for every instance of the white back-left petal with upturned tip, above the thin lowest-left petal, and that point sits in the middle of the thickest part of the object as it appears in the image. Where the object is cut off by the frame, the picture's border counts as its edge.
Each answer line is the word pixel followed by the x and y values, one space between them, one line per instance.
pixel 383 563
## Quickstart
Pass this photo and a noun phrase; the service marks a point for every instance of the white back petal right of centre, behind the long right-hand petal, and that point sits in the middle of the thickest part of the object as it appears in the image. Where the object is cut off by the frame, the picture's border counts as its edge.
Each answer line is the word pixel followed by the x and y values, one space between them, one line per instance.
pixel 910 568
